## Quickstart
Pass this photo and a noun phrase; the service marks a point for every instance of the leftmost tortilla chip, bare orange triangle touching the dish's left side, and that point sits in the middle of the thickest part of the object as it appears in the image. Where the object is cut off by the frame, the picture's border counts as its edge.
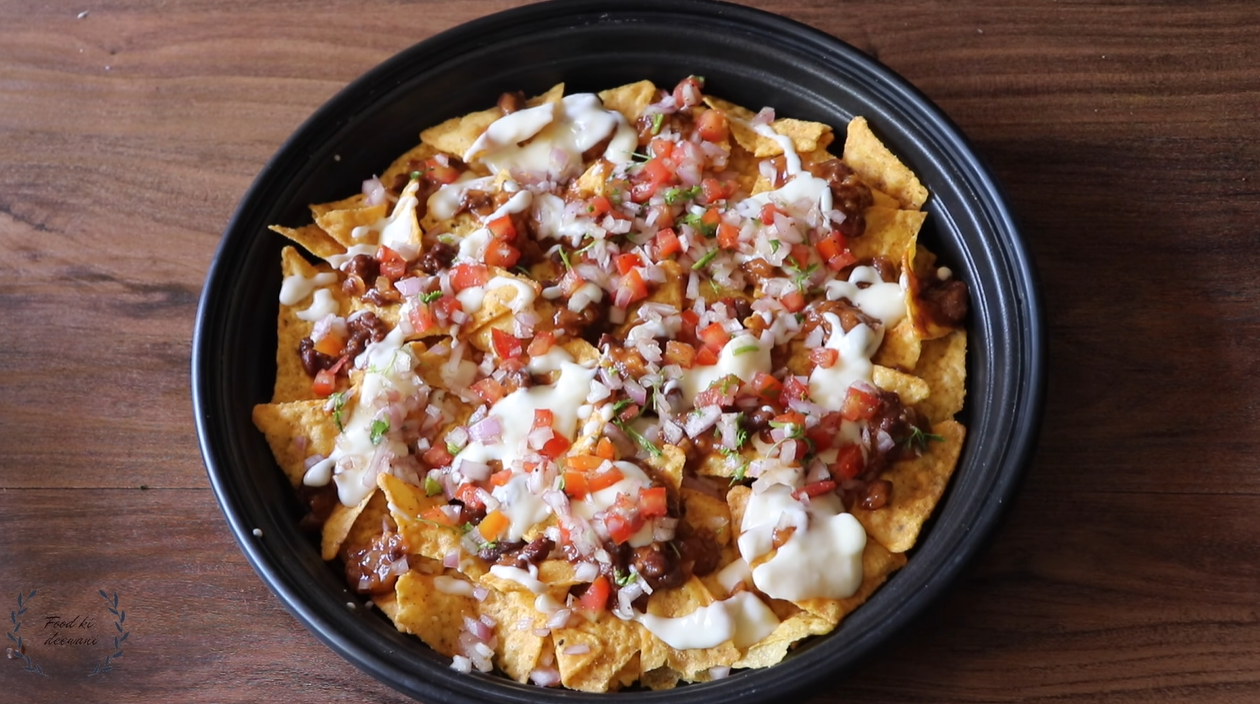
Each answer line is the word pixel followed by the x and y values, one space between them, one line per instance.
pixel 283 424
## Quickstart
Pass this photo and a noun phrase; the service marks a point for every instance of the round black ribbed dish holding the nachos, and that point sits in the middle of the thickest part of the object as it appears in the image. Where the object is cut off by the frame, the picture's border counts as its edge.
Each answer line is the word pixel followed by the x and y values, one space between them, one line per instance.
pixel 749 57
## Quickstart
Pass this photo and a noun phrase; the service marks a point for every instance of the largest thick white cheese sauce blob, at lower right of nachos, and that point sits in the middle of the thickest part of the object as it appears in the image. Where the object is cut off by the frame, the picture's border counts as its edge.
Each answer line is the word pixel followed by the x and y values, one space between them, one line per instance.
pixel 823 557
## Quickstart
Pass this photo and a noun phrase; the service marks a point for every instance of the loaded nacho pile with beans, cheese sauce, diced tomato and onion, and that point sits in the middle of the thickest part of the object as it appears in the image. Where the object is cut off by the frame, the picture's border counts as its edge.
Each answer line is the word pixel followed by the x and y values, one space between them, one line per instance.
pixel 621 391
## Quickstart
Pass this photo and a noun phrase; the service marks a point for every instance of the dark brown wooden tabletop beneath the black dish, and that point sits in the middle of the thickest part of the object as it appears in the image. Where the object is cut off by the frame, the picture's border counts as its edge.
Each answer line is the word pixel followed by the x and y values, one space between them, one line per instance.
pixel 1125 133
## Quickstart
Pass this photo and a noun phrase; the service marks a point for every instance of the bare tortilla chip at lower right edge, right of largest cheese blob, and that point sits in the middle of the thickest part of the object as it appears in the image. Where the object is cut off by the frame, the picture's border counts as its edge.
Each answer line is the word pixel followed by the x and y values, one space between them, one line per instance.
pixel 918 487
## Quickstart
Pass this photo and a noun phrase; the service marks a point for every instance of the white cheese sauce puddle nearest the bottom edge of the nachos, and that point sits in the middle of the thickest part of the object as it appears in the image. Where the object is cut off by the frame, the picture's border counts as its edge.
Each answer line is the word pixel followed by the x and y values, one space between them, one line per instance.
pixel 743 619
